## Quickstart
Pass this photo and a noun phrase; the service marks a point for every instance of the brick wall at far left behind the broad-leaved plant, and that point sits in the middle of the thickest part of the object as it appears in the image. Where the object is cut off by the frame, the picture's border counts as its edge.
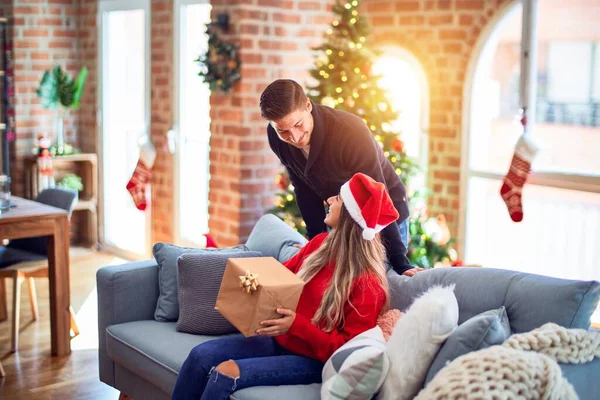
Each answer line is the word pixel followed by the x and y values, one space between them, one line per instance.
pixel 44 34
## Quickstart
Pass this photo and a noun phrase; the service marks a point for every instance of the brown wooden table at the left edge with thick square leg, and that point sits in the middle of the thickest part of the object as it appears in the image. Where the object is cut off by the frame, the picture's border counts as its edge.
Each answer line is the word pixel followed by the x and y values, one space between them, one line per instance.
pixel 31 219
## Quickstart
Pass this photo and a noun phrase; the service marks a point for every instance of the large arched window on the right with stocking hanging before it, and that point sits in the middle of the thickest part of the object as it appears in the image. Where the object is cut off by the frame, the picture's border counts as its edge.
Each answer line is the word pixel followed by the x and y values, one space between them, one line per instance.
pixel 560 232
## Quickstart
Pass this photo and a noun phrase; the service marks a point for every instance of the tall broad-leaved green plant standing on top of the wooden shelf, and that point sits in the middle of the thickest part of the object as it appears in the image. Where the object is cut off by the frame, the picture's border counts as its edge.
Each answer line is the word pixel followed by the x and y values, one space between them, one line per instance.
pixel 58 91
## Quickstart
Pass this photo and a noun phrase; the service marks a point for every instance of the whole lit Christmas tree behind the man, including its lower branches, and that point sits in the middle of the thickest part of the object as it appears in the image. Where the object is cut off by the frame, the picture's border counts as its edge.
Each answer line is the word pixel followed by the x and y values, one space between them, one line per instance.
pixel 345 81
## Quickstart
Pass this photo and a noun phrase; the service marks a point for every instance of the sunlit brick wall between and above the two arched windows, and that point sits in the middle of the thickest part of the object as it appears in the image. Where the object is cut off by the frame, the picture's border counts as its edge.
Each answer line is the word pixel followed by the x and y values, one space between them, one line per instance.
pixel 441 34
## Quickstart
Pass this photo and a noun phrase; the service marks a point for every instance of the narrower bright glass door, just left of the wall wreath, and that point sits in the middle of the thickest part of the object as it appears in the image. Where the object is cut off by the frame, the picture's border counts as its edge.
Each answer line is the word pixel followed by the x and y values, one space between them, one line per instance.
pixel 192 124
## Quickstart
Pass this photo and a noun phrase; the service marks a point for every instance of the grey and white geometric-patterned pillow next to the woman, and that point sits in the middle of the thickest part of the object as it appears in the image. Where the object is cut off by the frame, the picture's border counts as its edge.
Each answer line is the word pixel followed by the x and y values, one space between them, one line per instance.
pixel 357 369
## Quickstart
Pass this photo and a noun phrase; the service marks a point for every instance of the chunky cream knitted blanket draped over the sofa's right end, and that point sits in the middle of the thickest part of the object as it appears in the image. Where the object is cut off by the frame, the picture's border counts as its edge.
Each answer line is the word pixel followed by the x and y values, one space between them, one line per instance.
pixel 524 366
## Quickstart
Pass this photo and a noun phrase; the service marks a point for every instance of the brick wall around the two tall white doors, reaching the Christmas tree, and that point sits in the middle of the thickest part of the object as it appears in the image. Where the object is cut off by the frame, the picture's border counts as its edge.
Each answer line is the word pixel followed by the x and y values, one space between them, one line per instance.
pixel 275 39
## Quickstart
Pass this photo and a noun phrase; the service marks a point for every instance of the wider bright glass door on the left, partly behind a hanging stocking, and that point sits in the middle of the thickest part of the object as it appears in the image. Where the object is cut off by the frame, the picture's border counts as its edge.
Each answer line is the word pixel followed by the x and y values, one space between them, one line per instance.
pixel 124 101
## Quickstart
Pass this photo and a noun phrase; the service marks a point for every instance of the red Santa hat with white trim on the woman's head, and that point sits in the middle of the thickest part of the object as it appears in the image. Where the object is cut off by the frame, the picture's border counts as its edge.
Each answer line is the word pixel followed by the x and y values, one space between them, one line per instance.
pixel 369 204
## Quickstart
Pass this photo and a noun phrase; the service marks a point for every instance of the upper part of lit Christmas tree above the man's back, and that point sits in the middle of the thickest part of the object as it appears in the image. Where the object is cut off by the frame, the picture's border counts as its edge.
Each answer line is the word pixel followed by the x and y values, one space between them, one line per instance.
pixel 345 81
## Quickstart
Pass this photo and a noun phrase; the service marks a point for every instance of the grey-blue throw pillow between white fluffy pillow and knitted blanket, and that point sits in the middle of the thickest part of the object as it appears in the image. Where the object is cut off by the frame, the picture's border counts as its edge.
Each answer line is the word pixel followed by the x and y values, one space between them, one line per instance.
pixel 484 330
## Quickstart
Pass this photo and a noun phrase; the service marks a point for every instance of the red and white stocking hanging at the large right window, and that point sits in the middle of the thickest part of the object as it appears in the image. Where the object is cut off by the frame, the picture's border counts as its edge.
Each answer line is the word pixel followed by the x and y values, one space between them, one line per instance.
pixel 517 175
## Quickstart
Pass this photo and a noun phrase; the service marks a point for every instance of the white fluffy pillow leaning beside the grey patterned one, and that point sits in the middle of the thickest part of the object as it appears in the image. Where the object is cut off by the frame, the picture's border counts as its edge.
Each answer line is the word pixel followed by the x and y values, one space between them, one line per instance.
pixel 416 340
